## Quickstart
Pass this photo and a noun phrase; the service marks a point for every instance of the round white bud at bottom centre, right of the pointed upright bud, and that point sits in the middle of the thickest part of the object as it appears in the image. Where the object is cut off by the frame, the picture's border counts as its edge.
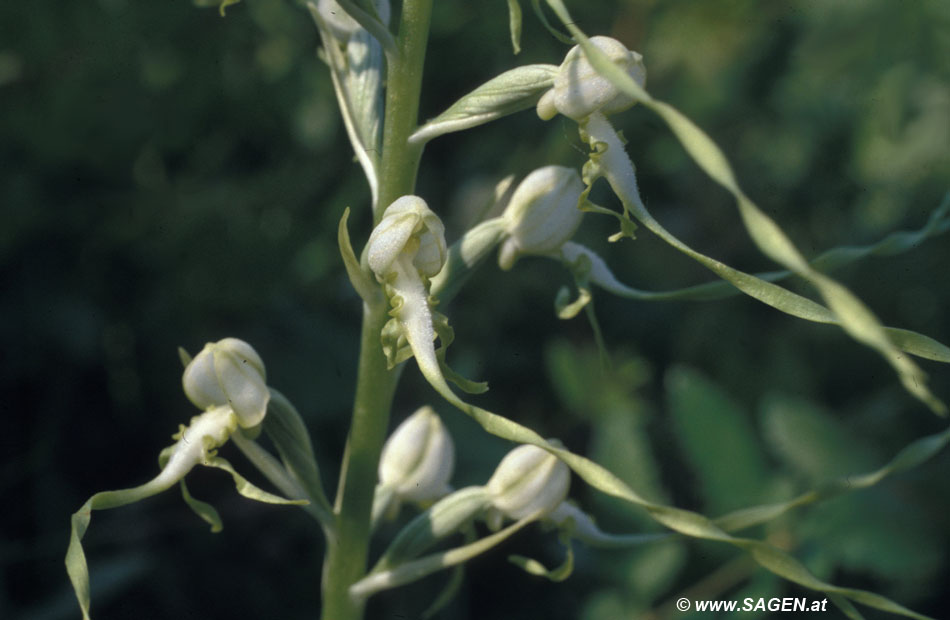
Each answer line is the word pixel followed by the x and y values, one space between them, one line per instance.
pixel 528 480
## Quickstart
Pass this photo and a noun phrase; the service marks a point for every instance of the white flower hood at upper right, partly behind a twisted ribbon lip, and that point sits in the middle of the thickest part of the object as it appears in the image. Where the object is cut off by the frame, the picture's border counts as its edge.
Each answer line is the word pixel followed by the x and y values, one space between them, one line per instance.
pixel 579 90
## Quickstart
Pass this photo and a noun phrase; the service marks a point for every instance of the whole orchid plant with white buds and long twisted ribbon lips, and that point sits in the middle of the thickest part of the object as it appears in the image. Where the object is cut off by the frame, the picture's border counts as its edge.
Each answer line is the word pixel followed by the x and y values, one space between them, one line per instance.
pixel 405 276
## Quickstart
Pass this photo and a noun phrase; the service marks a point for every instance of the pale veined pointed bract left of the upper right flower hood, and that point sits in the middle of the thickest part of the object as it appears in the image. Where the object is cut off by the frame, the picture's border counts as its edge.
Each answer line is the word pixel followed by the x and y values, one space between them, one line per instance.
pixel 512 91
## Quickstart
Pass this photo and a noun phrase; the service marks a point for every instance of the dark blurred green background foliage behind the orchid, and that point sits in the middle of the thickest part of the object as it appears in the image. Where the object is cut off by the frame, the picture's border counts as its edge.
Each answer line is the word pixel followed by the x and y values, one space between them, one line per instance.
pixel 168 177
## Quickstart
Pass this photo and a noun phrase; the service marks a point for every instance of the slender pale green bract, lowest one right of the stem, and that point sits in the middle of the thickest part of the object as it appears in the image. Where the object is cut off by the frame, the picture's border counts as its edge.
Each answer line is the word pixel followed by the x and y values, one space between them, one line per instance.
pixel 417 569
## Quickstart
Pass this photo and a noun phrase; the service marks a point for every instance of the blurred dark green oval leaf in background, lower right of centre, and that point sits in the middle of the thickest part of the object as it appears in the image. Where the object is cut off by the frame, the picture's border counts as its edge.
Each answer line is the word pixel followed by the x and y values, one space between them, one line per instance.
pixel 718 439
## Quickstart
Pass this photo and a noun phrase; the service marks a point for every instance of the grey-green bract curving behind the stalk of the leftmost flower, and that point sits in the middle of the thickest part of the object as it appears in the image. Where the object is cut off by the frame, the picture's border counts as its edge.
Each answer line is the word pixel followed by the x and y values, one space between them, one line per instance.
pixel 288 432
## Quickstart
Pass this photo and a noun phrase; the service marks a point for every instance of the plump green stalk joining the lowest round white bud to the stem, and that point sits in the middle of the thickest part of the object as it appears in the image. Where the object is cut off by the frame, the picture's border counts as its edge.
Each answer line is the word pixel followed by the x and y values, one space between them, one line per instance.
pixel 444 518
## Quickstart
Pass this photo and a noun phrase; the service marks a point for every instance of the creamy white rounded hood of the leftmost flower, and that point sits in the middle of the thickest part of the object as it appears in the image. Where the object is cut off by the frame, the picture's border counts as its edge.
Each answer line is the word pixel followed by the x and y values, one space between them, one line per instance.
pixel 229 373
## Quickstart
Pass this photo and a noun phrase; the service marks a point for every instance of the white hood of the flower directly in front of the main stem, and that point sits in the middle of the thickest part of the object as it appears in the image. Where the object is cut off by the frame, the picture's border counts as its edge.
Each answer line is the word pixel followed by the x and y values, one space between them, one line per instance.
pixel 410 229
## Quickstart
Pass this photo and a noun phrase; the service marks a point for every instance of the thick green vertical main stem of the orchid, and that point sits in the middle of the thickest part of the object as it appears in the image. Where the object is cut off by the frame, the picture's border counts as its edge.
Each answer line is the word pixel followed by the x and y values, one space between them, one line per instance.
pixel 346 558
